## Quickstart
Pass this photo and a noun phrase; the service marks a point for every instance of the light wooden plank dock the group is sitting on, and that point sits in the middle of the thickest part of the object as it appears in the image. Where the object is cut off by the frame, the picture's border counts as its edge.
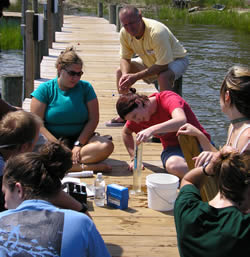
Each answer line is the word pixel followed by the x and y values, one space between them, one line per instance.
pixel 137 231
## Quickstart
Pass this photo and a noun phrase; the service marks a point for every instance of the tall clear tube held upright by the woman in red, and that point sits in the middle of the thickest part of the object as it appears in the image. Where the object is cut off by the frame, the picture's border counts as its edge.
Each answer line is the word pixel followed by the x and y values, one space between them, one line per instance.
pixel 137 169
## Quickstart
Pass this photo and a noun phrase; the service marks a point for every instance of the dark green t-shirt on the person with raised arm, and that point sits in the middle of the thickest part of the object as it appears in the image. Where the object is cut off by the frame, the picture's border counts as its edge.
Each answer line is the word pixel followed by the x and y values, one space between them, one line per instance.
pixel 203 230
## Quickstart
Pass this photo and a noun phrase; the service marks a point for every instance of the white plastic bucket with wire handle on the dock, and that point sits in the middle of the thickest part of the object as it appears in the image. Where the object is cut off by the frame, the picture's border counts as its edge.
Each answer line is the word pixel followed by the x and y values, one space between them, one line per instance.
pixel 162 191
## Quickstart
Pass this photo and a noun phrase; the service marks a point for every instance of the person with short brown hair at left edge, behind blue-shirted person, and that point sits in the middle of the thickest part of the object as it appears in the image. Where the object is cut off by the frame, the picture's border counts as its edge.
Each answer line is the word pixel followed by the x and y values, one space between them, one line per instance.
pixel 19 132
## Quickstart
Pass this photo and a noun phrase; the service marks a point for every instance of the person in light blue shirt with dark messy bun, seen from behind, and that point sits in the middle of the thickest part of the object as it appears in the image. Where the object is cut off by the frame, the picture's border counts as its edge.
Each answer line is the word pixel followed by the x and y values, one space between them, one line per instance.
pixel 33 225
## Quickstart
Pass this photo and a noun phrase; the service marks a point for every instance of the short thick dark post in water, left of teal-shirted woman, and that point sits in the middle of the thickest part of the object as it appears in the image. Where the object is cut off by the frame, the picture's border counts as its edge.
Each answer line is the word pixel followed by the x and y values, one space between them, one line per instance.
pixel 12 89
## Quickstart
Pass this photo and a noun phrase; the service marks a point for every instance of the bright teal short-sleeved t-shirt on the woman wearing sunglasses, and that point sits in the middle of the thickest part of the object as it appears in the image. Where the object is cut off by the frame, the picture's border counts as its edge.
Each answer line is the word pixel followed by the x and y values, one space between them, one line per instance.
pixel 66 113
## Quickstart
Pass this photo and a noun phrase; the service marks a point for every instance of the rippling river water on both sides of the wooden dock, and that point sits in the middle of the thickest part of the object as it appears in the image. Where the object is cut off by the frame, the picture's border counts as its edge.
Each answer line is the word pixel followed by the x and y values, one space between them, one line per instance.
pixel 212 51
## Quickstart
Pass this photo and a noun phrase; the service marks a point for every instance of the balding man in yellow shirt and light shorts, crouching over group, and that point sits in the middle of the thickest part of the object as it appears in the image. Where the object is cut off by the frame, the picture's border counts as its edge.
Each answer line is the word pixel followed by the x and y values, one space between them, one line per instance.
pixel 161 57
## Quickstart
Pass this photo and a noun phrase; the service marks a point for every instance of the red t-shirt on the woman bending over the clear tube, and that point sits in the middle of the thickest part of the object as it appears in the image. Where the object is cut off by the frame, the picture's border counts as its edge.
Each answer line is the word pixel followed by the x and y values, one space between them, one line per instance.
pixel 167 101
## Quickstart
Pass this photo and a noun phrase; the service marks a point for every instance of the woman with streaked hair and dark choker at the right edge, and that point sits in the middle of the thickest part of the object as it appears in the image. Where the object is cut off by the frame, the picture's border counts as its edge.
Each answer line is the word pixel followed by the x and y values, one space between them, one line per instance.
pixel 234 101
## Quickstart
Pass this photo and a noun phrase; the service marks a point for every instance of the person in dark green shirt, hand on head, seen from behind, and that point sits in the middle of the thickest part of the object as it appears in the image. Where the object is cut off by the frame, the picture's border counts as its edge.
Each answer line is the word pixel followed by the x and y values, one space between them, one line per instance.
pixel 220 227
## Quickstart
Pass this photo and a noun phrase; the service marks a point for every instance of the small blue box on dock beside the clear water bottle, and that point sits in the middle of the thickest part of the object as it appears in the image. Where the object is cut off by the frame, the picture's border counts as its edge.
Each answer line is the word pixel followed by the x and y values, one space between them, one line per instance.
pixel 117 196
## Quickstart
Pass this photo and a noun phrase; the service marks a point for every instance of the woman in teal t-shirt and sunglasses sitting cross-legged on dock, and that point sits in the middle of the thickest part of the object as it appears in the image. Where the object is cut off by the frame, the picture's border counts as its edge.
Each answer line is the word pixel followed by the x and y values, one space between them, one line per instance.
pixel 70 110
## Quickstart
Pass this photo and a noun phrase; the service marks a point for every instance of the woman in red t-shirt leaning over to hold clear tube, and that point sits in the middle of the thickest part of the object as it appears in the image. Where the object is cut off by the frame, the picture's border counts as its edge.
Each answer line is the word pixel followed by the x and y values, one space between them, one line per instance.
pixel 160 115
